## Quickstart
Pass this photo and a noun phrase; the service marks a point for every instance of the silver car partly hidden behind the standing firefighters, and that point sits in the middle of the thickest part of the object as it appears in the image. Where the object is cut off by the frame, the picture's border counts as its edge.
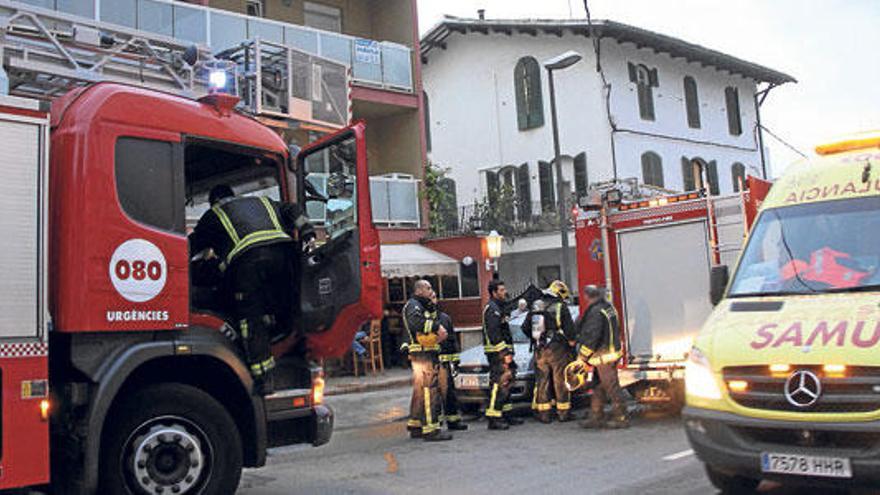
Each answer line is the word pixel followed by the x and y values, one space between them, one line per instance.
pixel 472 380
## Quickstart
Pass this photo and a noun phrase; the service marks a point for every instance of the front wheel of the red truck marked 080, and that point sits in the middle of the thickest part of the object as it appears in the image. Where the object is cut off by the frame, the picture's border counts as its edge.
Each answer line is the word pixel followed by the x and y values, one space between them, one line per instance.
pixel 170 439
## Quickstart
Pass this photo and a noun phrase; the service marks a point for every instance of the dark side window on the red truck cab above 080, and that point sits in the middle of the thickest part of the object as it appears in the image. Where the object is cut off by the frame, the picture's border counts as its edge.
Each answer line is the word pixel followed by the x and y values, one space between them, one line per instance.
pixel 149 182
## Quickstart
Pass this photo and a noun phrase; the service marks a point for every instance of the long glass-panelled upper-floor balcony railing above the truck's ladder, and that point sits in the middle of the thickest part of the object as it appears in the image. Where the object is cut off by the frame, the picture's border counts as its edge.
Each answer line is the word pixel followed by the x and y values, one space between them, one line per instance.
pixel 382 64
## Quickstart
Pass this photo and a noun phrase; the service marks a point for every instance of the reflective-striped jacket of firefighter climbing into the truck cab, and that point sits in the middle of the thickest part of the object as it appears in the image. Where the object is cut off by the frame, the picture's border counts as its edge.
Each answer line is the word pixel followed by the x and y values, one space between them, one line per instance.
pixel 234 225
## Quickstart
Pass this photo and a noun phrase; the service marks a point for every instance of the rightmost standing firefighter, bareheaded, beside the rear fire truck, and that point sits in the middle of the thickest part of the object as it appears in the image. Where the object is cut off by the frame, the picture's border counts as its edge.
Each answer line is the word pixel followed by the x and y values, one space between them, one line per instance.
pixel 599 346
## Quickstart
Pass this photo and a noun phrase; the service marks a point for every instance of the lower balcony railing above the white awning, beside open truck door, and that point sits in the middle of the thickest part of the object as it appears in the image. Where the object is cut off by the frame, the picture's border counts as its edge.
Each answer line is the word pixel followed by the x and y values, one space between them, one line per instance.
pixel 395 200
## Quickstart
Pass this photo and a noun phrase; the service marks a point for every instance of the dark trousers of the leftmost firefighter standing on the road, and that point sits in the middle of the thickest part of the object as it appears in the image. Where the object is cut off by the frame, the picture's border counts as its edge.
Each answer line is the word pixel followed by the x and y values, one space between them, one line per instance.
pixel 426 404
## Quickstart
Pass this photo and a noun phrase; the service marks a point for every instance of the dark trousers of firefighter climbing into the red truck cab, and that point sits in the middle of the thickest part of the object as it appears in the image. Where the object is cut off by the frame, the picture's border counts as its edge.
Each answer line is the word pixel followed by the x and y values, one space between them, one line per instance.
pixel 259 283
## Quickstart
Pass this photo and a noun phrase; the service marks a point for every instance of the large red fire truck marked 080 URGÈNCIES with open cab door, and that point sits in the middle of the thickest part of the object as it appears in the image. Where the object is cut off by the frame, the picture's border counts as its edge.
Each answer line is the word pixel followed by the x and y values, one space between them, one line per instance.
pixel 115 358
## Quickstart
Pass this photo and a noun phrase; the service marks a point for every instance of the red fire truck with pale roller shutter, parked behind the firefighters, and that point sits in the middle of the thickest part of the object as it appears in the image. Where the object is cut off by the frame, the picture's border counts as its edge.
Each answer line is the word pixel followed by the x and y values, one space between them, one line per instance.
pixel 660 252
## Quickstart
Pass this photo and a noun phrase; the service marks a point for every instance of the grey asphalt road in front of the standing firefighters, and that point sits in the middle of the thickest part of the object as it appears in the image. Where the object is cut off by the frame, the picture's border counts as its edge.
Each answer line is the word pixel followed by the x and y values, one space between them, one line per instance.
pixel 370 453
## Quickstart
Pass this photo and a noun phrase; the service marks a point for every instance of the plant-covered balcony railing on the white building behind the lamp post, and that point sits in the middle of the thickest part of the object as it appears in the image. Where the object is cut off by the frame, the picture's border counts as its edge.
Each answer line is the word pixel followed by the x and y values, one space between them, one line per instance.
pixel 511 219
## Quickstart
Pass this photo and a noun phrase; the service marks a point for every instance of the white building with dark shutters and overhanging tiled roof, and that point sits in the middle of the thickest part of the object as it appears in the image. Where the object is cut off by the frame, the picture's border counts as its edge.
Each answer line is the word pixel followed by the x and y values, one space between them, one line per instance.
pixel 668 101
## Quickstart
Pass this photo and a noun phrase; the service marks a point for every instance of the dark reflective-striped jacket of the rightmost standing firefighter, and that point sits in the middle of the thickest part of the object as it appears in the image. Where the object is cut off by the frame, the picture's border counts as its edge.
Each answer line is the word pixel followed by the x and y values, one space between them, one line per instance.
pixel 598 334
